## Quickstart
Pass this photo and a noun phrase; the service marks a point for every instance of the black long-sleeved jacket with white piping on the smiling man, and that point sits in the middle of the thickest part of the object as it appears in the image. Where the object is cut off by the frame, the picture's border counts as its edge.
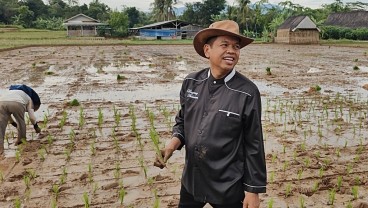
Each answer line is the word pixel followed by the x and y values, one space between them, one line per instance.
pixel 220 125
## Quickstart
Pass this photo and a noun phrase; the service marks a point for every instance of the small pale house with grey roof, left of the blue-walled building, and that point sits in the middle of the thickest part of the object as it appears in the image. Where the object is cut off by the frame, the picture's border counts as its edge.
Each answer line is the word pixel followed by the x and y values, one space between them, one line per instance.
pixel 82 25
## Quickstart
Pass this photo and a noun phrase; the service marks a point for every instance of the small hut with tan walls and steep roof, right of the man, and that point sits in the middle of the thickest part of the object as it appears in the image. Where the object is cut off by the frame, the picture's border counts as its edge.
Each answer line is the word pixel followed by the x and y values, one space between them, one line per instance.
pixel 298 30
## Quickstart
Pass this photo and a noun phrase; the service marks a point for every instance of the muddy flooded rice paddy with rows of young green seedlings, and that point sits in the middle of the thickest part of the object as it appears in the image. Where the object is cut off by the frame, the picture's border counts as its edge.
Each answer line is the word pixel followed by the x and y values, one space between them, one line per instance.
pixel 100 153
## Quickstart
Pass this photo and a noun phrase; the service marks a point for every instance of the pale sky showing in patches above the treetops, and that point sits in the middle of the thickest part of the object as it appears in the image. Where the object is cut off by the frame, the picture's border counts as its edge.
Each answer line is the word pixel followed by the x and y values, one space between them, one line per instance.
pixel 144 5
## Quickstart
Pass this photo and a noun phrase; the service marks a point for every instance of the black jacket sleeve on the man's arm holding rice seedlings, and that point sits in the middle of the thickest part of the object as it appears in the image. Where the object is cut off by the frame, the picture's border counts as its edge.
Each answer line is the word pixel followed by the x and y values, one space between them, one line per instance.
pixel 178 128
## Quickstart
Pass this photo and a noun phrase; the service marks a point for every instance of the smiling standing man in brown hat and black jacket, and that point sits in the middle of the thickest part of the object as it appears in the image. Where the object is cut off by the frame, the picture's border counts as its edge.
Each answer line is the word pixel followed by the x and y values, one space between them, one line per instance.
pixel 219 124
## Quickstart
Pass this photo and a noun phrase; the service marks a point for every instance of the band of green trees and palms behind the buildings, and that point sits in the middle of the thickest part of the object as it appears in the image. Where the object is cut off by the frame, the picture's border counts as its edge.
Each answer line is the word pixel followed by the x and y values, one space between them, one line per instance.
pixel 259 19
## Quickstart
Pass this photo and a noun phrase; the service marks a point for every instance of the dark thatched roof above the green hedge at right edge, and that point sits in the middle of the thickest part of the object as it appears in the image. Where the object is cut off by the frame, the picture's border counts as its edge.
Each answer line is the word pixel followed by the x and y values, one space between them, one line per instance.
pixel 353 19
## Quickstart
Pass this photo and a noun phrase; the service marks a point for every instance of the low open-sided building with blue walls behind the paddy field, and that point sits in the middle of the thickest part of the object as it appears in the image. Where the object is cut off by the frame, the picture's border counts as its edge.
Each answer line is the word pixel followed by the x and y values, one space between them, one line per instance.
pixel 172 29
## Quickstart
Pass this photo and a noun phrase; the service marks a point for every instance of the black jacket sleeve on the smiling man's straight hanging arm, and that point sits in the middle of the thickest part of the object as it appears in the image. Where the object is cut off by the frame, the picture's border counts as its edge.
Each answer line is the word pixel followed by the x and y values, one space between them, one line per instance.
pixel 255 174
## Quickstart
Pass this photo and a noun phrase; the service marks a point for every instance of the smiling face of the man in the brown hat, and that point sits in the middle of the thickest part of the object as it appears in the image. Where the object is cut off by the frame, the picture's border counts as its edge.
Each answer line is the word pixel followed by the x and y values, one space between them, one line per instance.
pixel 223 53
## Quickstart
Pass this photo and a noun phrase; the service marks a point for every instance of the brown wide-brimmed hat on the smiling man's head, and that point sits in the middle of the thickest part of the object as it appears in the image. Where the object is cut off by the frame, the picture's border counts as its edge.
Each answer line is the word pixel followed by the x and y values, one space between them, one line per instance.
pixel 220 28
